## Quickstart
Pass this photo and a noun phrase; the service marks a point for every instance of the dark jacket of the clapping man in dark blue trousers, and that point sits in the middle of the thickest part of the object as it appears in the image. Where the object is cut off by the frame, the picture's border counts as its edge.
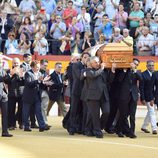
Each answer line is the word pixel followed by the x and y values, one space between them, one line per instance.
pixel 32 91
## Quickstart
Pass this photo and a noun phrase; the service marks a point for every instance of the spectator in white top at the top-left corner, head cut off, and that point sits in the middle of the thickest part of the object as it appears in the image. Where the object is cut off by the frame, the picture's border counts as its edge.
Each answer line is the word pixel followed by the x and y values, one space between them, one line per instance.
pixel 8 6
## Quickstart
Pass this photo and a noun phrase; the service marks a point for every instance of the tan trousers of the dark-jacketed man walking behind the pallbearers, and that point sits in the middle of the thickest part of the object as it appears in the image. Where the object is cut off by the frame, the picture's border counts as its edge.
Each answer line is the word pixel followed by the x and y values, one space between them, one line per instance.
pixel 61 105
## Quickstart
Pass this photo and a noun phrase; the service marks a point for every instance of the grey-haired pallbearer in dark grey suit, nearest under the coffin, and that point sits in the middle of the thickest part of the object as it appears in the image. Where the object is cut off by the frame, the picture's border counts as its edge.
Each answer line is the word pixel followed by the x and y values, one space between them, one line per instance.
pixel 97 96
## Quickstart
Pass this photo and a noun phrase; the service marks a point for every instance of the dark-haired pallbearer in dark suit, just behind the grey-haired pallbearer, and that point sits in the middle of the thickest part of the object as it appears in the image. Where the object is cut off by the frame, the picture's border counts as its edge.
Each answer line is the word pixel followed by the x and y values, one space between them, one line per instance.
pixel 76 103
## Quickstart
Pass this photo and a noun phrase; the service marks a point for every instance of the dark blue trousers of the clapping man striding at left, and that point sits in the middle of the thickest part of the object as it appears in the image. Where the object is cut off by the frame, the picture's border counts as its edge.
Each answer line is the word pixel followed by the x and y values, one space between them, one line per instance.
pixel 38 113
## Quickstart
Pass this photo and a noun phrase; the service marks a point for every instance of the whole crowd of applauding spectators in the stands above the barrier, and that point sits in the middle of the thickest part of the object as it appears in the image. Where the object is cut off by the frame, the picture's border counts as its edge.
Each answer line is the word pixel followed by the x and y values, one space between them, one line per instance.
pixel 64 27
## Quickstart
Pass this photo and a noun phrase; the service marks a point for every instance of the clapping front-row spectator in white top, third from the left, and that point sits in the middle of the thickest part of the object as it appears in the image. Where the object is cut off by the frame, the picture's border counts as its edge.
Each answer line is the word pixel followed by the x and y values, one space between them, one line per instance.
pixel 40 44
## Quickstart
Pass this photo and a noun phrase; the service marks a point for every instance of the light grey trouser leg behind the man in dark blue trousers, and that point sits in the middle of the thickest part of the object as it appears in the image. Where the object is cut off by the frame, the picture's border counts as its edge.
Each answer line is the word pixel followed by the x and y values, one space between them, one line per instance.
pixel 44 104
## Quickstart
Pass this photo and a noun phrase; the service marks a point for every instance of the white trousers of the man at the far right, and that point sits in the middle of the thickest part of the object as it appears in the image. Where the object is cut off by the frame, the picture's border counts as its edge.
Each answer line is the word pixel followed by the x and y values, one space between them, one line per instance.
pixel 150 117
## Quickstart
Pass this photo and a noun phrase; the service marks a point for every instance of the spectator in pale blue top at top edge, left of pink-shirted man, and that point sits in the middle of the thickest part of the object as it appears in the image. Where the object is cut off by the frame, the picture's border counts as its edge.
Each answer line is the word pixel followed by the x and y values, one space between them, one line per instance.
pixel 111 7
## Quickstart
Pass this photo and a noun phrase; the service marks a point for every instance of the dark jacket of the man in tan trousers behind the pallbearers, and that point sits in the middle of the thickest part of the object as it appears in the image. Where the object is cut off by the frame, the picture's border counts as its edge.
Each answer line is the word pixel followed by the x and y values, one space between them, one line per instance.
pixel 56 90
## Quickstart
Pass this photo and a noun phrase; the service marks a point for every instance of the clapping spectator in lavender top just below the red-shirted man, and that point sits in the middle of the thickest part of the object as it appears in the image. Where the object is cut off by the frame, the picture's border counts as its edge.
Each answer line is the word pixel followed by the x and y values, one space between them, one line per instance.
pixel 75 27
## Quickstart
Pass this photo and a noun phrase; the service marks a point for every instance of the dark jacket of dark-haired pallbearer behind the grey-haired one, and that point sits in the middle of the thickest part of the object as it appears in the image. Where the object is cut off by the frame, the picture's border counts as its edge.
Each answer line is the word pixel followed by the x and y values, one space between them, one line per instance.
pixel 77 83
